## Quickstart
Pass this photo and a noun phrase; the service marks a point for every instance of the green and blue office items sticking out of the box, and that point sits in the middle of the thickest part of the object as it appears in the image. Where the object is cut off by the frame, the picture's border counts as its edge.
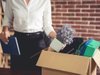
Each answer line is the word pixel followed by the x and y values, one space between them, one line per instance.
pixel 88 48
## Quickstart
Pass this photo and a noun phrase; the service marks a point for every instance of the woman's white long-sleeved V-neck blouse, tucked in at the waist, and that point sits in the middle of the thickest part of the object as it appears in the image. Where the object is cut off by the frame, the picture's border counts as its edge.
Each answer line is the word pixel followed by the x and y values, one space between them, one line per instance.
pixel 34 17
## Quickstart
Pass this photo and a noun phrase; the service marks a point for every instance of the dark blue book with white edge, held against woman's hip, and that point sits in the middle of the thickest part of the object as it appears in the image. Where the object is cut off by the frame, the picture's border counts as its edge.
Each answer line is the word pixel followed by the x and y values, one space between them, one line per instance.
pixel 12 47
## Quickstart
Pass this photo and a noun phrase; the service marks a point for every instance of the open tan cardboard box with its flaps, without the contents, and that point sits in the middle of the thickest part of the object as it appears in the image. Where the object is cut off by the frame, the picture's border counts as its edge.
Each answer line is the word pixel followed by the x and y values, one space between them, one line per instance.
pixel 54 63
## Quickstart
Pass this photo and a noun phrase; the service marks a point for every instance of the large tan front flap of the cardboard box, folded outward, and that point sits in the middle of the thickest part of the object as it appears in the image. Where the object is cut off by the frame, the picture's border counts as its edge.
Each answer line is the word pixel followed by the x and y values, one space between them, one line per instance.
pixel 64 62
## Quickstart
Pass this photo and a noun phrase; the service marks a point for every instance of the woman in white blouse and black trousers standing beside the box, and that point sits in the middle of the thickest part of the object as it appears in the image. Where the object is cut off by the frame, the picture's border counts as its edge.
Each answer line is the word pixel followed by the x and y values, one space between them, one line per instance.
pixel 30 19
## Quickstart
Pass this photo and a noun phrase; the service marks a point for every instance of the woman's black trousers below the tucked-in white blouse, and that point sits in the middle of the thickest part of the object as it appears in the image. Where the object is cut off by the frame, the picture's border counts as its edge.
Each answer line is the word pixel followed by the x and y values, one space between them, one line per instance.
pixel 29 44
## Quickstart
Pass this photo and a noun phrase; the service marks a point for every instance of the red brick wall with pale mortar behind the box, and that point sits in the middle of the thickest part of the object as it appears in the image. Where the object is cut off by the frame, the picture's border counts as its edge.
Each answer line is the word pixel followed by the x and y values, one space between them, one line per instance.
pixel 82 15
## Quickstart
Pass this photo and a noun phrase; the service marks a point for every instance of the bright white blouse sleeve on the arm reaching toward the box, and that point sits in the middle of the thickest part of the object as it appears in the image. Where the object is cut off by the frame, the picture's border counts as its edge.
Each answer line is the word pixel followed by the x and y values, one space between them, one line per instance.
pixel 47 19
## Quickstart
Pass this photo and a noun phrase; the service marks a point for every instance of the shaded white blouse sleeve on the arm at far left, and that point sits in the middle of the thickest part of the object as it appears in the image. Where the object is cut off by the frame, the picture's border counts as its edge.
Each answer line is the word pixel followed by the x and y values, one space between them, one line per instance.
pixel 8 14
